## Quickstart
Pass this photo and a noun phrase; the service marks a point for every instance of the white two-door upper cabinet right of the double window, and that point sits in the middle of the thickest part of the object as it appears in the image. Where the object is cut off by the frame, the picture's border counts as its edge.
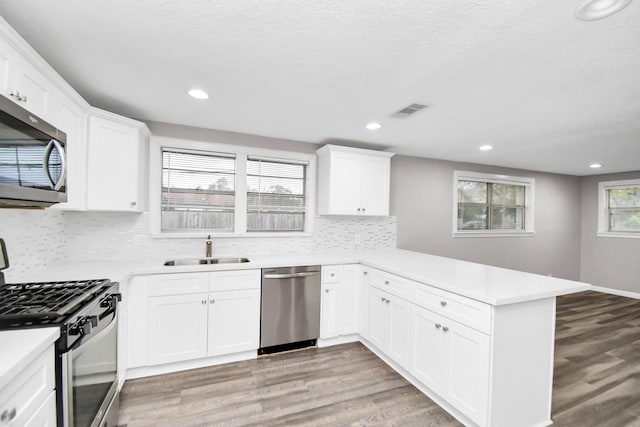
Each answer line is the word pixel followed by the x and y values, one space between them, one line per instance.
pixel 353 181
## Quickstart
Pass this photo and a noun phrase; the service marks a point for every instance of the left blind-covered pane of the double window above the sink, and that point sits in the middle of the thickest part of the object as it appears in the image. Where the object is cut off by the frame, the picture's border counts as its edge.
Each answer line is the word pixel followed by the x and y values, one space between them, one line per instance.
pixel 198 191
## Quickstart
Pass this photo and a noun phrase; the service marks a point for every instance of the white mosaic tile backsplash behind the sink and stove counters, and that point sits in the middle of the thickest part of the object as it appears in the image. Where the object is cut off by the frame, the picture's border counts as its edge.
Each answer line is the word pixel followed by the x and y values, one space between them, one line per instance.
pixel 36 238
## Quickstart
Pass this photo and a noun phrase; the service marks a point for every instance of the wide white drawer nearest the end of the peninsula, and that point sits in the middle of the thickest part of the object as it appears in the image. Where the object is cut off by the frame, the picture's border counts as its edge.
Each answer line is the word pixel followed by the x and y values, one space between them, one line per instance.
pixel 474 314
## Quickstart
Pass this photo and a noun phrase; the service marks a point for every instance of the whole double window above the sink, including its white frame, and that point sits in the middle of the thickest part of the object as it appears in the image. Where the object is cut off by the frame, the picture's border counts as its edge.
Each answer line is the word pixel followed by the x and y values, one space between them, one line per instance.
pixel 206 188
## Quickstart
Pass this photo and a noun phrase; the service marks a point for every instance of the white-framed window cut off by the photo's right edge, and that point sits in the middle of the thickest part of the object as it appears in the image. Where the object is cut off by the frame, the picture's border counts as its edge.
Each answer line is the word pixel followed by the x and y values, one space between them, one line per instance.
pixel 619 208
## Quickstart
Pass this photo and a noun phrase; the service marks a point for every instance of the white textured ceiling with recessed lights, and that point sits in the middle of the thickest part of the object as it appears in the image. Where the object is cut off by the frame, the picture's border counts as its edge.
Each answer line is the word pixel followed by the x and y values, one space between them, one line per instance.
pixel 551 93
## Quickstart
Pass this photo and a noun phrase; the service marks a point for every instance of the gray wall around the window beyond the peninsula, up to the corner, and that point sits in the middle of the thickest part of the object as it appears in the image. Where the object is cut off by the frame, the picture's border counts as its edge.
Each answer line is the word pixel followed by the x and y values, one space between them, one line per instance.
pixel 422 199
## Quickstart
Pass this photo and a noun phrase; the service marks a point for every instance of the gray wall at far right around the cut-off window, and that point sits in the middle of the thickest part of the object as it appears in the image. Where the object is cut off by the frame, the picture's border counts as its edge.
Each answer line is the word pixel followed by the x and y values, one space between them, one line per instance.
pixel 611 262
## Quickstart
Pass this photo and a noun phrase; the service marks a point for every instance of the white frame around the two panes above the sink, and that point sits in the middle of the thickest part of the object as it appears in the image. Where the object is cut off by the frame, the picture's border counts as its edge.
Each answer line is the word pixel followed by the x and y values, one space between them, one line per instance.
pixel 158 143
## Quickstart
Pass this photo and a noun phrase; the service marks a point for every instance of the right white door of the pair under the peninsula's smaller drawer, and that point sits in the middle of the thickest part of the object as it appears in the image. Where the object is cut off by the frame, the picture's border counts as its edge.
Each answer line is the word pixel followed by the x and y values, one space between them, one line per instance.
pixel 399 347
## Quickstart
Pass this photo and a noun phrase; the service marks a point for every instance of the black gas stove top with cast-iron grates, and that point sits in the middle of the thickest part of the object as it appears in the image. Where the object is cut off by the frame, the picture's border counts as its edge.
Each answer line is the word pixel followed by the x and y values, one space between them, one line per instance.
pixel 46 303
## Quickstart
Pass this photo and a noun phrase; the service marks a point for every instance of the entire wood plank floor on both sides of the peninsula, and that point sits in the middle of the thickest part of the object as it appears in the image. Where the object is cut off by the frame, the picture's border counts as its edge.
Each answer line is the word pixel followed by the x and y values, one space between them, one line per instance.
pixel 596 382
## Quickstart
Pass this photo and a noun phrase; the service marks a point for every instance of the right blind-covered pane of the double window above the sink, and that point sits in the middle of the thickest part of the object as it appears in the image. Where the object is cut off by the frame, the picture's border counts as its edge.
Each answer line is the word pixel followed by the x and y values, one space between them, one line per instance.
pixel 275 195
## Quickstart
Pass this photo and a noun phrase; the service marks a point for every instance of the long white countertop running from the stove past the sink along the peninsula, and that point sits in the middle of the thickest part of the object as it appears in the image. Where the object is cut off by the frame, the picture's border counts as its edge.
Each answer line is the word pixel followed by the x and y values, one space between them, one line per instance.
pixel 492 285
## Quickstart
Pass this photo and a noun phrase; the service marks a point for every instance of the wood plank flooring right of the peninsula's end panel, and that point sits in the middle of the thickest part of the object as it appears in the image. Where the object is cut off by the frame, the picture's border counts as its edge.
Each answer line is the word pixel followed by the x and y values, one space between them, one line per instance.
pixel 597 361
